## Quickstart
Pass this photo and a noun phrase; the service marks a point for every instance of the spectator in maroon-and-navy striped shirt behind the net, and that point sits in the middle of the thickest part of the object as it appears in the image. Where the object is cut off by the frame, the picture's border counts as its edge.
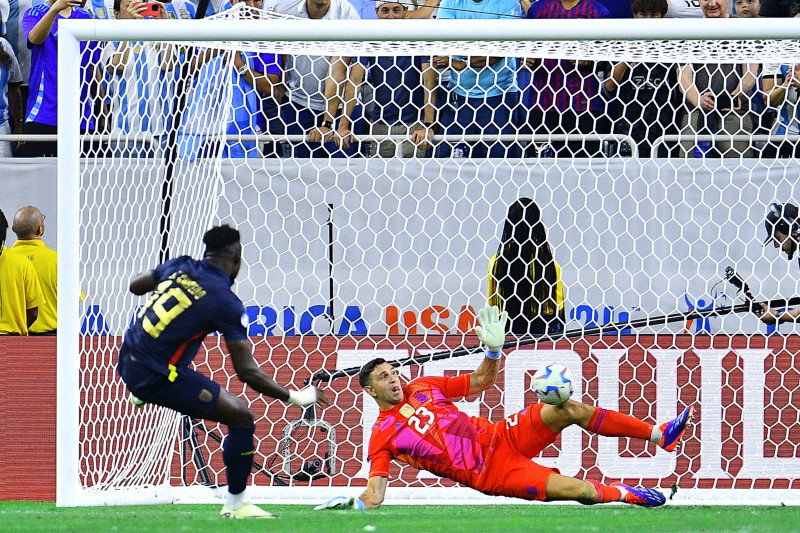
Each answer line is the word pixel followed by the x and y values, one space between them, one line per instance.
pixel 564 97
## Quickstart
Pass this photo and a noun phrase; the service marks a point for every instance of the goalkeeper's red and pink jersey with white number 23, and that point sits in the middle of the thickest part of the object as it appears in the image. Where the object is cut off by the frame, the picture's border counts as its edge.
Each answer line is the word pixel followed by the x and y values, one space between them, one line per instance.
pixel 428 432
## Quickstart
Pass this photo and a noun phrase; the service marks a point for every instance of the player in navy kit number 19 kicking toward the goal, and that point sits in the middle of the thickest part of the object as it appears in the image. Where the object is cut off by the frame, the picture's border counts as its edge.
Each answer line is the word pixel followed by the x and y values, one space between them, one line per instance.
pixel 190 300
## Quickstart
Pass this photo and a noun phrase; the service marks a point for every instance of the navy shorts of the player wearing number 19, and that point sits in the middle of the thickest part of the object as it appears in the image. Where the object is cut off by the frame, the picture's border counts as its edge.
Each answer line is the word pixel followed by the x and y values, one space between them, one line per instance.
pixel 191 394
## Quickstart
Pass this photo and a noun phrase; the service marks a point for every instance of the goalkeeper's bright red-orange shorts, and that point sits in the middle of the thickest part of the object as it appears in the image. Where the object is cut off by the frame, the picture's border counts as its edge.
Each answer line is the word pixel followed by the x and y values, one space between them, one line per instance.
pixel 509 470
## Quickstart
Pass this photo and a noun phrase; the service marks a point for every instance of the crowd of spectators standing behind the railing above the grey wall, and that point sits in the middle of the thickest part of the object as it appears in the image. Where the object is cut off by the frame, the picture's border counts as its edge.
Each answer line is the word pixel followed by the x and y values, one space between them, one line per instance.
pixel 347 106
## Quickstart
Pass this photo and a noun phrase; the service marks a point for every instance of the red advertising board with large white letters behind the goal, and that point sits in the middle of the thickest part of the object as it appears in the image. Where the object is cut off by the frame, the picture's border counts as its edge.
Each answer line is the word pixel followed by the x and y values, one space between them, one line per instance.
pixel 746 389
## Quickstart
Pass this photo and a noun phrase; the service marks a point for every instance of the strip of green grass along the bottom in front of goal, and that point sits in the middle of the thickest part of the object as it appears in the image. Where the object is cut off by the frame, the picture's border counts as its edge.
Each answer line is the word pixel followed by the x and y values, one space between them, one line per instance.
pixel 36 516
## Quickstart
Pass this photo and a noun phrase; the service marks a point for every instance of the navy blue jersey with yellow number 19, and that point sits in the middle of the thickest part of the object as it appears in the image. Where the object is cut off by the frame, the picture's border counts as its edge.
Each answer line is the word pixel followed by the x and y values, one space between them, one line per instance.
pixel 192 299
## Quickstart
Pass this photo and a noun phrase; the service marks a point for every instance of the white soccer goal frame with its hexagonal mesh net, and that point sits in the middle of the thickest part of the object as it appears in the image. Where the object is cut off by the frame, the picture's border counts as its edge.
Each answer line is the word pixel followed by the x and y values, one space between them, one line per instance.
pixel 382 248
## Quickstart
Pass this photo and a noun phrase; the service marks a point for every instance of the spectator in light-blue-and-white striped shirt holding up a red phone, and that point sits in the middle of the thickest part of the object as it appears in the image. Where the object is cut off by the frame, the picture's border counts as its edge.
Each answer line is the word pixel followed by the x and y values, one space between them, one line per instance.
pixel 141 86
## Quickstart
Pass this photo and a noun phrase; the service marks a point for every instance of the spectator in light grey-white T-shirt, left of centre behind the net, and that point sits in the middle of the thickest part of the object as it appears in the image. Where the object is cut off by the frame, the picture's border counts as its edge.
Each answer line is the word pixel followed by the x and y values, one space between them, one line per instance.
pixel 304 112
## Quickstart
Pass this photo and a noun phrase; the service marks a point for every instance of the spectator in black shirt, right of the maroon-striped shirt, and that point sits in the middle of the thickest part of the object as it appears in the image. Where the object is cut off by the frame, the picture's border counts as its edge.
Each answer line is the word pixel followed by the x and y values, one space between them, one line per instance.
pixel 642 96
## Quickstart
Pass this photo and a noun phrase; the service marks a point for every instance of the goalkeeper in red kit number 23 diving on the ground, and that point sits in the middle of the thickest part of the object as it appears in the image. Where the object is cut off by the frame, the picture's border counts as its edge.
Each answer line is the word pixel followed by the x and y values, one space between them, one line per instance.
pixel 420 426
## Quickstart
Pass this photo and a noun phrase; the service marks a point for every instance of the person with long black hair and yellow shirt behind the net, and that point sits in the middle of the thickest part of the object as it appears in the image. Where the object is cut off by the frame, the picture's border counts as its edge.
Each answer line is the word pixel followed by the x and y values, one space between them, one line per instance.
pixel 524 279
